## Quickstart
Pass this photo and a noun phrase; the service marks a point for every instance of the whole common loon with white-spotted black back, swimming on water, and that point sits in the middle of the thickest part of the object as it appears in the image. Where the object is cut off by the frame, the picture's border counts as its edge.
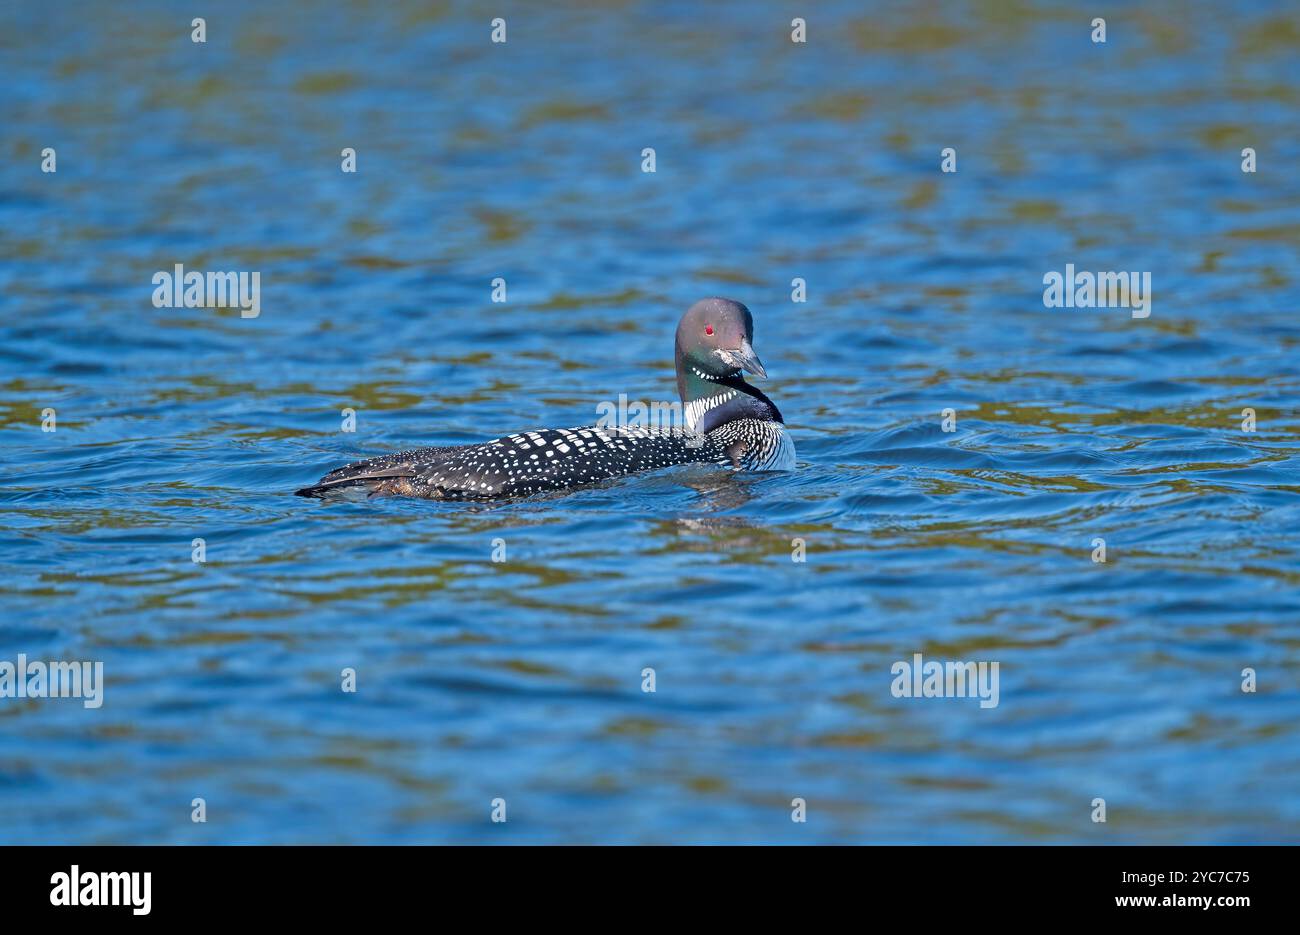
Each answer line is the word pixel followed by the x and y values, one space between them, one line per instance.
pixel 727 422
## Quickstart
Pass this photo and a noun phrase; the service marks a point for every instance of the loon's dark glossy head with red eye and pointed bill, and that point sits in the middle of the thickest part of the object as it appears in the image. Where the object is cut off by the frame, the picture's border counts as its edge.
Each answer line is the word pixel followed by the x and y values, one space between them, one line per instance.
pixel 714 347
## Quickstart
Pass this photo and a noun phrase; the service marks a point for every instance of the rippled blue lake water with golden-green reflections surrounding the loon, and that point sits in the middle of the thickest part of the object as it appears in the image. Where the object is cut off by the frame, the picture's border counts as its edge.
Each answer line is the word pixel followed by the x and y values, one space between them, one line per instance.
pixel 523 679
